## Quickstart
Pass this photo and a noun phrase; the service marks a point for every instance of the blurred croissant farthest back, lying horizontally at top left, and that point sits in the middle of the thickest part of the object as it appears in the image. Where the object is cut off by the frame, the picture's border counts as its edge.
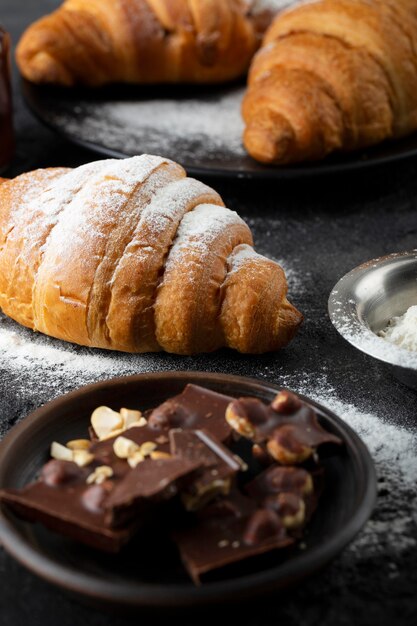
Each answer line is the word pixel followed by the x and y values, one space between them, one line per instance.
pixel 93 42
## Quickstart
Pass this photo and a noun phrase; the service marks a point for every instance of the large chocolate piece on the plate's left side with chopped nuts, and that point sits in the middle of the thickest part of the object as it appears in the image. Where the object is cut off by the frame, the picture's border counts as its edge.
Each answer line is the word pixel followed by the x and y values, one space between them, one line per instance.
pixel 99 505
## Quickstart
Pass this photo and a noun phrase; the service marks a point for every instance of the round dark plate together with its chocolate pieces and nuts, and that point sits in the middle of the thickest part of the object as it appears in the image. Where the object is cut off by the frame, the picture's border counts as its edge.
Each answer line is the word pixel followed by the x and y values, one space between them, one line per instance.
pixel 176 489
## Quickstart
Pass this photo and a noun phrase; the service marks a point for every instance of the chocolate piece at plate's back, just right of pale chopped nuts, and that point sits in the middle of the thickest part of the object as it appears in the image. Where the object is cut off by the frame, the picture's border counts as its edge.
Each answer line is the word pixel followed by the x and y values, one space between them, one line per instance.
pixel 195 408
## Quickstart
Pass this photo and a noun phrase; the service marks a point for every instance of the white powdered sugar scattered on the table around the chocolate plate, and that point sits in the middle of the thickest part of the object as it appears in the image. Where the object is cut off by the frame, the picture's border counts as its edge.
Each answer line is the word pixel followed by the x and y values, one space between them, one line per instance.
pixel 45 363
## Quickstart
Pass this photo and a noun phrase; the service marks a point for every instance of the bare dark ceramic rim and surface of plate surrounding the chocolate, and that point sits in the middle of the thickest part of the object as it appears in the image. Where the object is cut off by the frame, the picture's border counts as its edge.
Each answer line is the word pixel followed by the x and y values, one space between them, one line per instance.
pixel 140 577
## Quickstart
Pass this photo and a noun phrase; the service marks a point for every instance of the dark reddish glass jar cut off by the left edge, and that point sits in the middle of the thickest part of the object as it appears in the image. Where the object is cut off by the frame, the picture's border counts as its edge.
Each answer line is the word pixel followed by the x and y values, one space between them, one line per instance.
pixel 6 127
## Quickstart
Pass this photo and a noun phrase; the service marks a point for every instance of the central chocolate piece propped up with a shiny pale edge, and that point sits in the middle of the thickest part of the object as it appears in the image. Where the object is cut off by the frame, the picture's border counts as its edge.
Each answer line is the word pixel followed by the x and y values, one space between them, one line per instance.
pixel 218 468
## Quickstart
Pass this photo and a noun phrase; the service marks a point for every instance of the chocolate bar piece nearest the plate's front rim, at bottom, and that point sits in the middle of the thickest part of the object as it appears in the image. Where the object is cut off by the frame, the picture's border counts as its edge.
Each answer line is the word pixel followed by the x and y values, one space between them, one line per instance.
pixel 231 531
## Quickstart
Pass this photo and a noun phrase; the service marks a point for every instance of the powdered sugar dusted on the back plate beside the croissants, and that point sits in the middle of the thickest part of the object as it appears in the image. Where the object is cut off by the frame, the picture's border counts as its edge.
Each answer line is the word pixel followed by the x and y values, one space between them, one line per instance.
pixel 206 124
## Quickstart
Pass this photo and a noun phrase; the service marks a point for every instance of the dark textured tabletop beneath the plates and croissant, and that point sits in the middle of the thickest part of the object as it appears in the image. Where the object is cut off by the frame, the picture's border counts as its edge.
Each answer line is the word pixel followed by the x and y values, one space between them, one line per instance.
pixel 322 229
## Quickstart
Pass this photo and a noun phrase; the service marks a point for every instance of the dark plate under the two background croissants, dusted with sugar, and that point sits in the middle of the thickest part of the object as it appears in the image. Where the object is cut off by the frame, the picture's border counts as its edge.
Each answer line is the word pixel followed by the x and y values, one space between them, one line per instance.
pixel 200 127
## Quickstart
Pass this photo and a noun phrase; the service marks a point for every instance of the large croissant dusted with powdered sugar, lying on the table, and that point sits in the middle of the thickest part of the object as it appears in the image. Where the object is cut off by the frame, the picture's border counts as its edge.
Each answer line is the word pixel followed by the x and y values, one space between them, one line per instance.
pixel 132 255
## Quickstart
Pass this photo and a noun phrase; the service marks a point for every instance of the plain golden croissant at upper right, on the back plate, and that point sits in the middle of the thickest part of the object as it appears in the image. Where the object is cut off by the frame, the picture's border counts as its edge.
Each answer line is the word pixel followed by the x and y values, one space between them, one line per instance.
pixel 332 75
